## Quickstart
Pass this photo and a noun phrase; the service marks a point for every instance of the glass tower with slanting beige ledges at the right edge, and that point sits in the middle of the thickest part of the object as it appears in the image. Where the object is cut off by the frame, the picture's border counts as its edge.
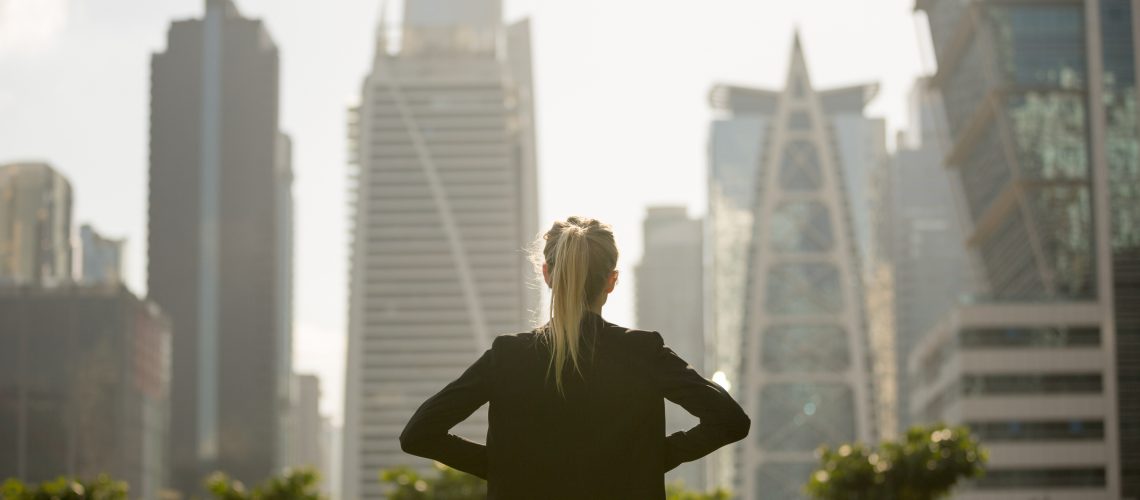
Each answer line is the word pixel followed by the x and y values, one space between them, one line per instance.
pixel 1041 110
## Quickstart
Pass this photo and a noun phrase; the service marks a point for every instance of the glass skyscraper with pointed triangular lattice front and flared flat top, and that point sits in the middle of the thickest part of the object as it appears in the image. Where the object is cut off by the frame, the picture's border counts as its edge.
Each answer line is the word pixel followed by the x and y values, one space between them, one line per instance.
pixel 797 315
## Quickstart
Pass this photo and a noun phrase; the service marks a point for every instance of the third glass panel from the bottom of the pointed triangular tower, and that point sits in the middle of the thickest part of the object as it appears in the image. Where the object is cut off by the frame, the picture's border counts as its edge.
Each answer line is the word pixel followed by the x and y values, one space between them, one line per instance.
pixel 805 348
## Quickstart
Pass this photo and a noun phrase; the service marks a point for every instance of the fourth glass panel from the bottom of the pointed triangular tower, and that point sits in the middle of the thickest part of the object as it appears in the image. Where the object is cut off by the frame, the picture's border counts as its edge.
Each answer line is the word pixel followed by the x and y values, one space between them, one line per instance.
pixel 804 289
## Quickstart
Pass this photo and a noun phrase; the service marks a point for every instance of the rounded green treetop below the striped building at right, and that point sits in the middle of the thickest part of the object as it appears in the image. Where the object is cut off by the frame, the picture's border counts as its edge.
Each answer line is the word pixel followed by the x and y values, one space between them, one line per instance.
pixel 925 465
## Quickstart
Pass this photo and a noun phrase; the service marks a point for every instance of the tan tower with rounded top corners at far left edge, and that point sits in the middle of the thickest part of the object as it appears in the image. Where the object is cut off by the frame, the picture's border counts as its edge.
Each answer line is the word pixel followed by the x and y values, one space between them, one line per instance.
pixel 36 217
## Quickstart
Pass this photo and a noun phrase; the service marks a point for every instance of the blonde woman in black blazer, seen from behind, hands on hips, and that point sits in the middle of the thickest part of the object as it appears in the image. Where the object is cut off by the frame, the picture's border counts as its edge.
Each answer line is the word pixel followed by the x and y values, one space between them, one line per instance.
pixel 576 406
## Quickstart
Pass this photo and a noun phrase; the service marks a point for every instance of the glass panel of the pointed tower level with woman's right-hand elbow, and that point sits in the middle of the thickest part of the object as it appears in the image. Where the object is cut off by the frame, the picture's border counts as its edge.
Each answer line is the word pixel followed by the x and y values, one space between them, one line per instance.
pixel 803 416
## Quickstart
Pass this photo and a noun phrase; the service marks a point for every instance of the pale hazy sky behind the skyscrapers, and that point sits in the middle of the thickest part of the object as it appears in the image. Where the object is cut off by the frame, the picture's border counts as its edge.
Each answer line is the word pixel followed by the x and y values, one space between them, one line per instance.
pixel 622 108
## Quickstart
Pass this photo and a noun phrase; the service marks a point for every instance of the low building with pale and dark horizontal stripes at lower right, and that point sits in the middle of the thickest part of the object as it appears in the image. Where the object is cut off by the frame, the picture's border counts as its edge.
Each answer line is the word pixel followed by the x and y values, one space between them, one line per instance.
pixel 1028 379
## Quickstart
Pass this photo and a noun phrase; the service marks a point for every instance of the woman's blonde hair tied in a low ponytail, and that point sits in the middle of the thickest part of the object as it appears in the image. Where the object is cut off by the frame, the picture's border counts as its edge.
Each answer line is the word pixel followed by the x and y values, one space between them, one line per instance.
pixel 581 256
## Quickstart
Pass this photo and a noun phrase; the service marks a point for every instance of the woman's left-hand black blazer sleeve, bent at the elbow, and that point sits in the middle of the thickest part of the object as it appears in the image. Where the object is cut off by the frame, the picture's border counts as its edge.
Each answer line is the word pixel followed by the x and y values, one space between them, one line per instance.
pixel 428 432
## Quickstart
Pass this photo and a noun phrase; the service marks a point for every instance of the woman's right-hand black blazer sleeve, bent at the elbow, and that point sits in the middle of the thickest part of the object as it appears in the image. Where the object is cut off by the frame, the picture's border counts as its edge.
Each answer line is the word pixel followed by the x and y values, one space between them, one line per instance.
pixel 722 421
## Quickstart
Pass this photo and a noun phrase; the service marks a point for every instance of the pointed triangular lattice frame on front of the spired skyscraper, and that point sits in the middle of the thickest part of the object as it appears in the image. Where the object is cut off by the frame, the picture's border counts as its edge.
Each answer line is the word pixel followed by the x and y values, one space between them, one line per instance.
pixel 804 364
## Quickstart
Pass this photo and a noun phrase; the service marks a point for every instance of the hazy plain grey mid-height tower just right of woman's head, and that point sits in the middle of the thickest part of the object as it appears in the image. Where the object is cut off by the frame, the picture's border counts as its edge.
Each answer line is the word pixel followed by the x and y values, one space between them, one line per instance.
pixel 671 300
